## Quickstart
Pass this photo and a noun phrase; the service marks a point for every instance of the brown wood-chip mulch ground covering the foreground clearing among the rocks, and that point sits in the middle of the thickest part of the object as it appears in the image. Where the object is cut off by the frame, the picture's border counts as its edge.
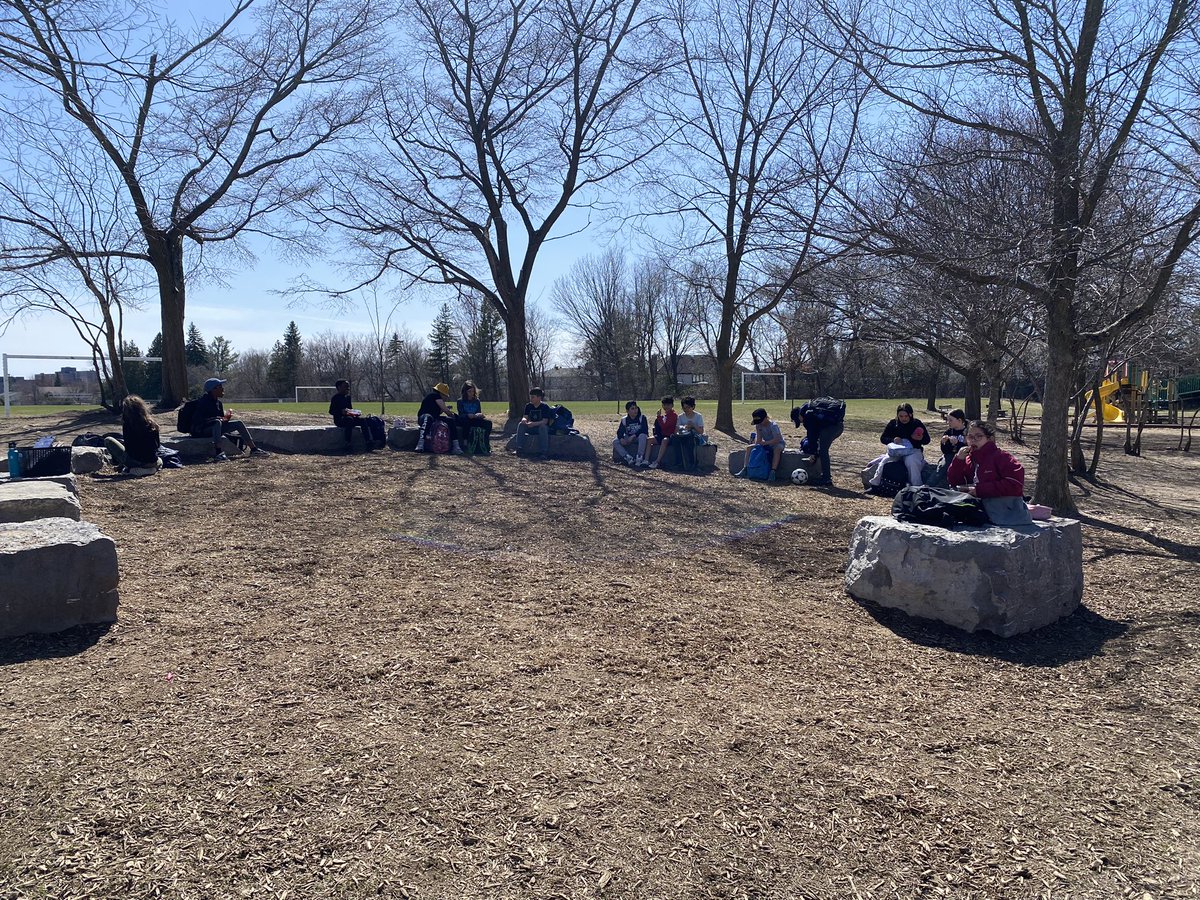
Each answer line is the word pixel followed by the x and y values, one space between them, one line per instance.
pixel 428 677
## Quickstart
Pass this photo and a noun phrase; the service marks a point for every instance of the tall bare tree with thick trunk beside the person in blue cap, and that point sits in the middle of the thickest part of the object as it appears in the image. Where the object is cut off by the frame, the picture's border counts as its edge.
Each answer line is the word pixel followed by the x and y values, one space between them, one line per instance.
pixel 201 130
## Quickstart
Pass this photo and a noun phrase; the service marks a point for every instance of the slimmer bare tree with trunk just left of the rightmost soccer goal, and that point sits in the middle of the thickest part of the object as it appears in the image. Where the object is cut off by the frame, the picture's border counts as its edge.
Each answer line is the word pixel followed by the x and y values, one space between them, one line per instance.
pixel 761 124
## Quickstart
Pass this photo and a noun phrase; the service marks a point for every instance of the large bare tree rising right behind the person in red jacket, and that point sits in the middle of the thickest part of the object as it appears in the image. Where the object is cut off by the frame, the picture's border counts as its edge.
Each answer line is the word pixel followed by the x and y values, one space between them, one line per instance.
pixel 1085 92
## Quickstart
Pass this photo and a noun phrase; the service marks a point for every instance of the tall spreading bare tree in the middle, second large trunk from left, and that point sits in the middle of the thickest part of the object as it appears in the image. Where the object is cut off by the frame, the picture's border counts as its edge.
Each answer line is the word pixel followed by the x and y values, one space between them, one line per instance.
pixel 502 118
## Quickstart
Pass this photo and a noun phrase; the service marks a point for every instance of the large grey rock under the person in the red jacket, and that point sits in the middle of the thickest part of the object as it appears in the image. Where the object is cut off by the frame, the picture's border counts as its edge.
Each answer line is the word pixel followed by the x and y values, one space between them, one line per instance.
pixel 1007 581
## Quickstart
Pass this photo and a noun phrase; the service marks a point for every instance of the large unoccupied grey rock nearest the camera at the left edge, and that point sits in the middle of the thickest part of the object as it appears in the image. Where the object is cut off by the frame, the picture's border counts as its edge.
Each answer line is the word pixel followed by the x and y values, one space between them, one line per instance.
pixel 56 574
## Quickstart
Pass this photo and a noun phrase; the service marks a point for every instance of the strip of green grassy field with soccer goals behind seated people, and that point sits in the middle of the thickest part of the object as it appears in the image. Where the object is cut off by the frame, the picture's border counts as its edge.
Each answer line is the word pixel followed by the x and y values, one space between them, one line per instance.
pixel 861 411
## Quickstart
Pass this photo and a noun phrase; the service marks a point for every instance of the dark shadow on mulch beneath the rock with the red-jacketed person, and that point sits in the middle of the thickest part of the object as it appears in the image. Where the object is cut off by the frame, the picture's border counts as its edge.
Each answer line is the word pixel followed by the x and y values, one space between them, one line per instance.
pixel 1076 638
